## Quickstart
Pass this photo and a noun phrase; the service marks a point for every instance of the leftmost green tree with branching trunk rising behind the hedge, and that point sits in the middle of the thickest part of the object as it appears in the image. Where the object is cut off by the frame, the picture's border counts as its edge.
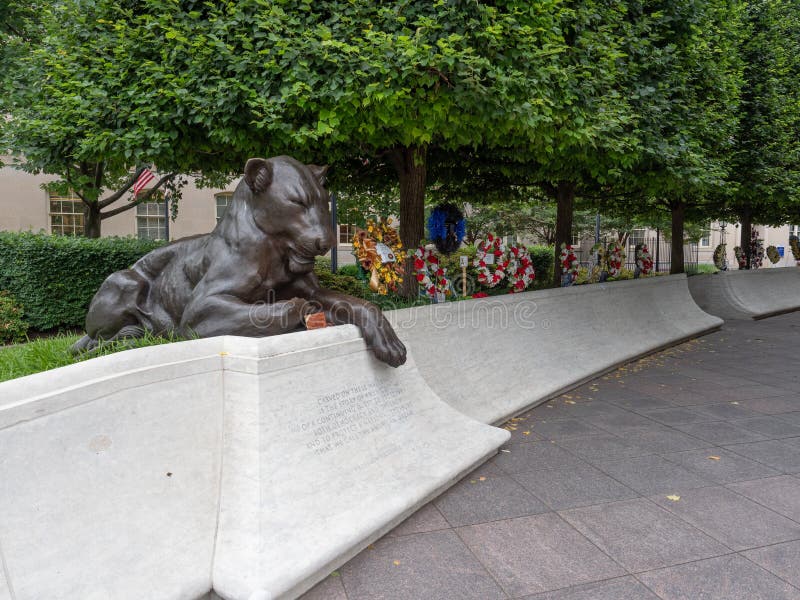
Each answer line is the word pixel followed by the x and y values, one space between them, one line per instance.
pixel 80 109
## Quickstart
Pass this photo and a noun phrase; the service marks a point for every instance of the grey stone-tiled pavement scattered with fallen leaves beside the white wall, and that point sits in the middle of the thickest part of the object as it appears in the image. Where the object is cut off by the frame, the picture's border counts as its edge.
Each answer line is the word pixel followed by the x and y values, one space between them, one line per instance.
pixel 577 508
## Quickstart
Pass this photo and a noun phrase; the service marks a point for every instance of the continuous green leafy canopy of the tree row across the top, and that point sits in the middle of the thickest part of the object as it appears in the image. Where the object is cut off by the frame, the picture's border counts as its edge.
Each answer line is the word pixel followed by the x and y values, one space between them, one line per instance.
pixel 630 104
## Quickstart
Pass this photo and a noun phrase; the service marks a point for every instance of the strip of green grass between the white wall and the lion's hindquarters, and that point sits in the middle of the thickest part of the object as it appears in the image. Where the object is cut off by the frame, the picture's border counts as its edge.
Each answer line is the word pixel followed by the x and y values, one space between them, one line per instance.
pixel 53 352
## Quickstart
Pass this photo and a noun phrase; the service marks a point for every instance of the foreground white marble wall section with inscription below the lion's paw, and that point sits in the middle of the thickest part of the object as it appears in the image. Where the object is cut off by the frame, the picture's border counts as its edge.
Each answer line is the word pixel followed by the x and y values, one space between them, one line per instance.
pixel 250 466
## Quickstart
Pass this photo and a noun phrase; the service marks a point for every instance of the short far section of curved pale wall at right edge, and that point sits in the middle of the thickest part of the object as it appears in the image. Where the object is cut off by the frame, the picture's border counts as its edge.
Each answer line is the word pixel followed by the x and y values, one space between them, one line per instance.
pixel 753 294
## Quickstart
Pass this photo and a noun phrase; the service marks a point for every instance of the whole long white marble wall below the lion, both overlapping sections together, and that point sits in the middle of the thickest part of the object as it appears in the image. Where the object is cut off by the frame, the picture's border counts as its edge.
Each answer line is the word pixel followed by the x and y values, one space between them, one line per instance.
pixel 254 467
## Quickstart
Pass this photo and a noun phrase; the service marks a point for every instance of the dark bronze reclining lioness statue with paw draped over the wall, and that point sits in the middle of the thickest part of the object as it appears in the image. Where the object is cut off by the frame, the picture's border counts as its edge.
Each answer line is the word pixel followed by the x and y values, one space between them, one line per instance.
pixel 253 275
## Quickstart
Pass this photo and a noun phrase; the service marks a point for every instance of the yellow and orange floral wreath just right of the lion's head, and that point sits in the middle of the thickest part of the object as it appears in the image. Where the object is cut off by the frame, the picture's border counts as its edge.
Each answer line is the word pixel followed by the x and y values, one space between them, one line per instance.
pixel 377 249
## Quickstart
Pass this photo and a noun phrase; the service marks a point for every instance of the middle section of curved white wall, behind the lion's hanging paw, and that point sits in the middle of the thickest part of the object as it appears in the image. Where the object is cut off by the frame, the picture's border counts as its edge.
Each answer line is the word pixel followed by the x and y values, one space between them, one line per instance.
pixel 495 357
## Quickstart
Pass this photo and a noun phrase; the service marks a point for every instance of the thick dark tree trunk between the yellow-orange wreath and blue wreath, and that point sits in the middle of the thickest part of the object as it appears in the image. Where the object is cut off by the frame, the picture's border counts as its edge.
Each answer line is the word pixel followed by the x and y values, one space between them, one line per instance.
pixel 410 164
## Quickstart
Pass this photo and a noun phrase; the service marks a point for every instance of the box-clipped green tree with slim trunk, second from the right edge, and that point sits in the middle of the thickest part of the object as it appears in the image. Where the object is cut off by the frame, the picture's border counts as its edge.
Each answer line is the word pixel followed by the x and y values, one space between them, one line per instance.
pixel 685 83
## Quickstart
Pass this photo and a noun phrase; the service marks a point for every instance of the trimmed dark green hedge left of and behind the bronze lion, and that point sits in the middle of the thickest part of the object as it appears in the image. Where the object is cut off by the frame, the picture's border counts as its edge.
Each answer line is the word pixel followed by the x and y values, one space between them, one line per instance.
pixel 55 277
